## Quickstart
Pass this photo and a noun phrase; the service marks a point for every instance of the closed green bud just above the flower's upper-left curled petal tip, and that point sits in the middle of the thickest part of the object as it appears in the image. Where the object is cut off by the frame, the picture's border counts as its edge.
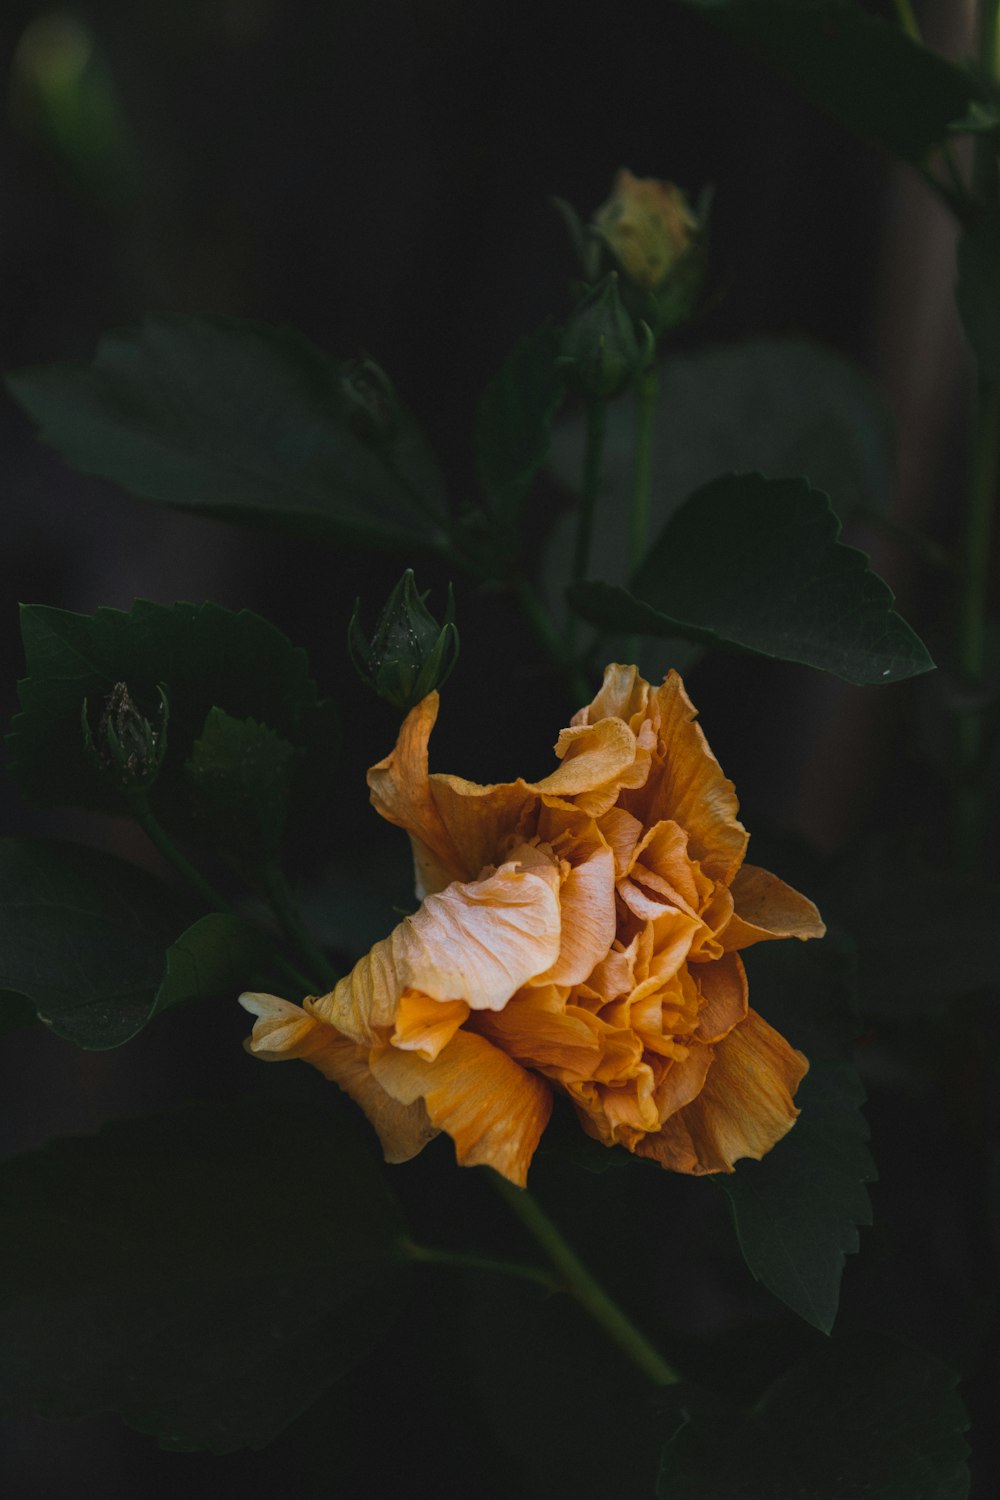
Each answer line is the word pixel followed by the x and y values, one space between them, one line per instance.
pixel 410 653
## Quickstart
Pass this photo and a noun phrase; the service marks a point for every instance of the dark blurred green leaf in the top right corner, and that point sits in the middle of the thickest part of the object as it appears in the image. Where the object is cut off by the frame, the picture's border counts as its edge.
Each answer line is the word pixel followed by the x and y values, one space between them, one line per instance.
pixel 863 71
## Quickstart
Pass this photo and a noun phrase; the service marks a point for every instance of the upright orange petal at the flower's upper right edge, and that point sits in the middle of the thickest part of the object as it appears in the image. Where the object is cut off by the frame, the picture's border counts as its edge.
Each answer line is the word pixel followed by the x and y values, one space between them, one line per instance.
pixel 690 788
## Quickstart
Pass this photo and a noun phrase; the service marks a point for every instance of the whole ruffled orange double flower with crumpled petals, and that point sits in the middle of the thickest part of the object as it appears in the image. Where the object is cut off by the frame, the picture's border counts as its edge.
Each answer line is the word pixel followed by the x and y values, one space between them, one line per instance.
pixel 579 932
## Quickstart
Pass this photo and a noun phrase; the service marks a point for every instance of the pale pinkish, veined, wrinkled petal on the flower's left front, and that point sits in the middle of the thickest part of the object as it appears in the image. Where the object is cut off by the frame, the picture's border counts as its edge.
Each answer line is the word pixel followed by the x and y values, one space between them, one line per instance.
pixel 476 943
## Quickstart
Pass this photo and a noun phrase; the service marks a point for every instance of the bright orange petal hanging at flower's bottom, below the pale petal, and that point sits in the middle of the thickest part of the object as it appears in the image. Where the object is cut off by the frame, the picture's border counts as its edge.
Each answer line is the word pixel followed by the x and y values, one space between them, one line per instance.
pixel 491 1108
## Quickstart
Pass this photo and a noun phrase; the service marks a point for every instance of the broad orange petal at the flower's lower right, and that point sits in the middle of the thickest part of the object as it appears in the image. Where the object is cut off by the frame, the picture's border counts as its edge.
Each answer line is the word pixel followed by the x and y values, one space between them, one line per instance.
pixel 744 1108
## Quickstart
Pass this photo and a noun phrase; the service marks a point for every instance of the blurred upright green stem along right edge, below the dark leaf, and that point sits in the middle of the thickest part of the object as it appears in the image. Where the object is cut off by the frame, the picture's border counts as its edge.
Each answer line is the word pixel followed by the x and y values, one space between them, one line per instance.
pixel 972 619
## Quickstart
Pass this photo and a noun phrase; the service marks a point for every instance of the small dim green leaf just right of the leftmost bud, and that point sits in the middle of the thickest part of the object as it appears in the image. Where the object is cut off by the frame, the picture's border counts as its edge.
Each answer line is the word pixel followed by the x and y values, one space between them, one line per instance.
pixel 242 776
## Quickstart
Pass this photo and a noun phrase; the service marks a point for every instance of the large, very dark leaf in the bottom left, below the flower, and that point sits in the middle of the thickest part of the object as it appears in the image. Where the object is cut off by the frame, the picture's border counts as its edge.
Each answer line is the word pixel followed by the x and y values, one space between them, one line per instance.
pixel 208 1273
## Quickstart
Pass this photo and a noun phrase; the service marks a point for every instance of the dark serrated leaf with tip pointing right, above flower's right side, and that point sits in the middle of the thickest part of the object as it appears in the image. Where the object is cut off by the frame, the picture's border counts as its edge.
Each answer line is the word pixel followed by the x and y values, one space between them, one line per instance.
pixel 756 565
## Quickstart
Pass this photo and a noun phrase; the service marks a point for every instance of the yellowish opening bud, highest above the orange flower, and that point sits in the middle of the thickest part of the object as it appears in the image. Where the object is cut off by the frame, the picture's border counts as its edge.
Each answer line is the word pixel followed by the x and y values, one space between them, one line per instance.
pixel 648 226
